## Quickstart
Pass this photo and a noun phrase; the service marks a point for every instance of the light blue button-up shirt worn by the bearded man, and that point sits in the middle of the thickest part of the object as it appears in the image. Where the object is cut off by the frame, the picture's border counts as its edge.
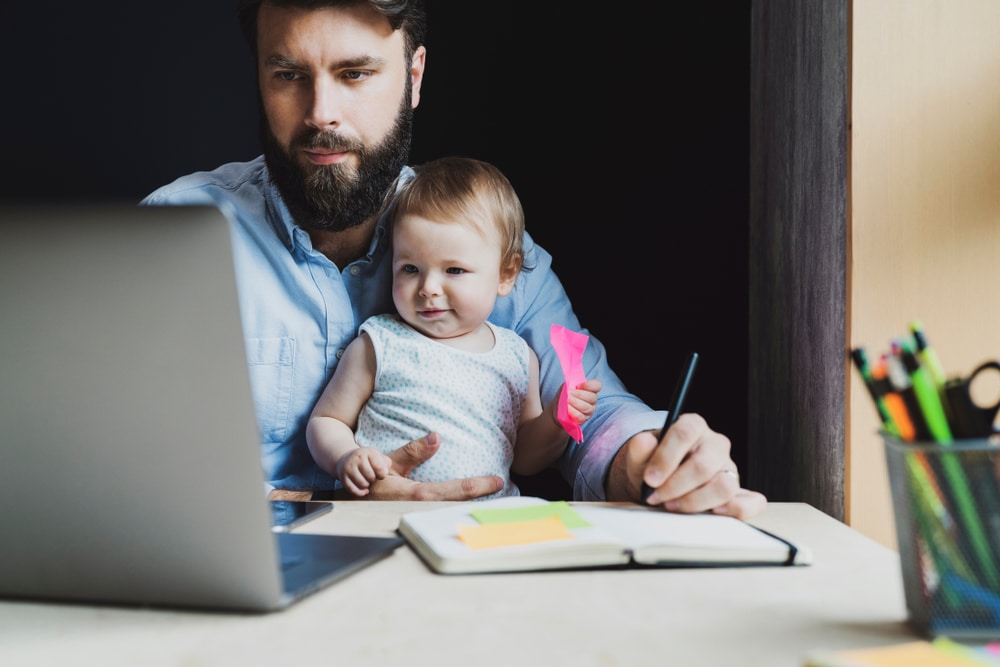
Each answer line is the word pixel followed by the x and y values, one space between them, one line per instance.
pixel 300 311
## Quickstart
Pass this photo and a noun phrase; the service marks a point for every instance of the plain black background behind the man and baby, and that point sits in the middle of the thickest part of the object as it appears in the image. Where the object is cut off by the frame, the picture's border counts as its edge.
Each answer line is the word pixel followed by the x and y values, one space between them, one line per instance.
pixel 626 136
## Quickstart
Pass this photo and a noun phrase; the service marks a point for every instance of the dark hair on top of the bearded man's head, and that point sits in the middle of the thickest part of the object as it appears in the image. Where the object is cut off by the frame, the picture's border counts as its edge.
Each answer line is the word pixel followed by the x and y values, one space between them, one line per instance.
pixel 406 15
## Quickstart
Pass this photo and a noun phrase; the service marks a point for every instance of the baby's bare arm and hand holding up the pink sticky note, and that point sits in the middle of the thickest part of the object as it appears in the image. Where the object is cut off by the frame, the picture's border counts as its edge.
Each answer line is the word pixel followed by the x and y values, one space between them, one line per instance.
pixel 541 439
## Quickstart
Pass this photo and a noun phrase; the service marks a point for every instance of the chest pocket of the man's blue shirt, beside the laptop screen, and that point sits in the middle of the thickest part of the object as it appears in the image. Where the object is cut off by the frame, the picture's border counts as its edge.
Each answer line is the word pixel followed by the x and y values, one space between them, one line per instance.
pixel 272 368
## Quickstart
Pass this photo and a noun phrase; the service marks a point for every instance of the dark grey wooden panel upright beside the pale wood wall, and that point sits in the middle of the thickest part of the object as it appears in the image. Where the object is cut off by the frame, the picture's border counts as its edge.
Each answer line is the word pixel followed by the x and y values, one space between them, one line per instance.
pixel 798 251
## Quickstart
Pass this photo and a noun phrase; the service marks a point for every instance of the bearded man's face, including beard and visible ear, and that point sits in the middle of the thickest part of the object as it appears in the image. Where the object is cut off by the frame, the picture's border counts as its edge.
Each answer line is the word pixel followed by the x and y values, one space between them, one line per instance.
pixel 338 98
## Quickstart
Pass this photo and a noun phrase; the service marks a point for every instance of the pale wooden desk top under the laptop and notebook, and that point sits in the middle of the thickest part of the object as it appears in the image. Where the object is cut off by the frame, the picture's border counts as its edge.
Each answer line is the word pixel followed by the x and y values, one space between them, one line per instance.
pixel 398 613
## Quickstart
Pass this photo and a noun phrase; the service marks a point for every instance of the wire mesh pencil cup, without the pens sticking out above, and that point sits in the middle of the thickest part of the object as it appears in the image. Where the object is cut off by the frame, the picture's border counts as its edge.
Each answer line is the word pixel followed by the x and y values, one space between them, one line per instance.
pixel 946 504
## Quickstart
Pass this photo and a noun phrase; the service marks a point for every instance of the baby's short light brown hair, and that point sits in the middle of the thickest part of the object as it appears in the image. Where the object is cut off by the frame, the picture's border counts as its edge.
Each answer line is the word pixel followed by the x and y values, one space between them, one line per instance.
pixel 469 192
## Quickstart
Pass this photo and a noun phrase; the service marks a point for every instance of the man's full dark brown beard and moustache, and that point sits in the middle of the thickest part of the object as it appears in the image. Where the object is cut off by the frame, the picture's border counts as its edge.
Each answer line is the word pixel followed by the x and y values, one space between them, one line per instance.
pixel 335 197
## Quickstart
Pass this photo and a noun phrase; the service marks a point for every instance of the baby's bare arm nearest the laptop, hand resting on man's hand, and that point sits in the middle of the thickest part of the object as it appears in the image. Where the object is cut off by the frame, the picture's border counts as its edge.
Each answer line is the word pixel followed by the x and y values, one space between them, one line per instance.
pixel 330 431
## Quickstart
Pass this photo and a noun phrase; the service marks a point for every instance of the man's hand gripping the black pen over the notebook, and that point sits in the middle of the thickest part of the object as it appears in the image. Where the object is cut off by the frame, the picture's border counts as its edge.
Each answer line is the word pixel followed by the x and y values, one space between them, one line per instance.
pixel 689 471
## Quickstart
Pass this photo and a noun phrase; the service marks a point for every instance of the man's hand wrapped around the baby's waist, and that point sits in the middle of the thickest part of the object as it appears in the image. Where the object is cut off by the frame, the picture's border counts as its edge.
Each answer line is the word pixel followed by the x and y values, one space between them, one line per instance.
pixel 396 486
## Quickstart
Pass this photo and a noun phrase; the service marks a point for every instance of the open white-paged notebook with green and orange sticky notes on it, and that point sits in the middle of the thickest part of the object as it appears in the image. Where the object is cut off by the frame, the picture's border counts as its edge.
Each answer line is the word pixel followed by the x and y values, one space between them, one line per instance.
pixel 522 533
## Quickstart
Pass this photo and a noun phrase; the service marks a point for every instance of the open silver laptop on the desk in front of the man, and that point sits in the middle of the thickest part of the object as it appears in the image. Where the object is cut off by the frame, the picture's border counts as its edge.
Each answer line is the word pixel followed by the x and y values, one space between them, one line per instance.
pixel 129 462
